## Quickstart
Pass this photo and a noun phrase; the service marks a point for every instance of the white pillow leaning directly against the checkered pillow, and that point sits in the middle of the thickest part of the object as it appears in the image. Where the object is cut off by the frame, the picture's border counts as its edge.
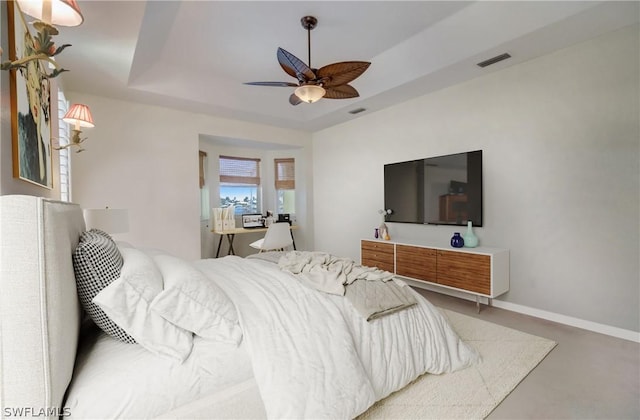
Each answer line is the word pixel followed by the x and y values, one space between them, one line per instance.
pixel 127 302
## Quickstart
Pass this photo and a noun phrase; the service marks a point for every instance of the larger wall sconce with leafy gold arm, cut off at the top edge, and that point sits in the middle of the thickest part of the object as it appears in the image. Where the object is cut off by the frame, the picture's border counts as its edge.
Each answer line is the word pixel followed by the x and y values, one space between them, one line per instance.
pixel 47 13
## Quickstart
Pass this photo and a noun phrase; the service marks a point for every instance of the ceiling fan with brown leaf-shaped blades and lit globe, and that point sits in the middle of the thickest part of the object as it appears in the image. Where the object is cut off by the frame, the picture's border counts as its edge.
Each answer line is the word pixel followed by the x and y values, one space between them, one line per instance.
pixel 330 81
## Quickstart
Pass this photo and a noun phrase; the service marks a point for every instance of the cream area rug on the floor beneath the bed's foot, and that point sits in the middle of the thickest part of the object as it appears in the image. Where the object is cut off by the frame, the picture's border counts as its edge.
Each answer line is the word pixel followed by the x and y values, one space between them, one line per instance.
pixel 508 356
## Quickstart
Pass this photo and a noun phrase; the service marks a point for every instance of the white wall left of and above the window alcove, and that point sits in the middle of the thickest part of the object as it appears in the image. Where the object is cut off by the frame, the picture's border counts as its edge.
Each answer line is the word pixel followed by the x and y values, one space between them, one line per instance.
pixel 145 158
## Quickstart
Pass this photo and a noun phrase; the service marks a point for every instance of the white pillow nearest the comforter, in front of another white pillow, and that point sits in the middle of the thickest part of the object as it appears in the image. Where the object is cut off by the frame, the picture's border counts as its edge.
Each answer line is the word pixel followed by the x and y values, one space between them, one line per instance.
pixel 195 303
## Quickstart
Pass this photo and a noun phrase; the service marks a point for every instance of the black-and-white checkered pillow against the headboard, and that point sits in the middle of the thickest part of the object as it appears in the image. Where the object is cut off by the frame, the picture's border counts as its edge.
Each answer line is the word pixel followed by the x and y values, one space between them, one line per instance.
pixel 97 262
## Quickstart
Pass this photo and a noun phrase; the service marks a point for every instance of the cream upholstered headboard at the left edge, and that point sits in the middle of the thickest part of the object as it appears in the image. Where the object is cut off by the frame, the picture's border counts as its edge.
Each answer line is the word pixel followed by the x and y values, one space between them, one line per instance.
pixel 39 309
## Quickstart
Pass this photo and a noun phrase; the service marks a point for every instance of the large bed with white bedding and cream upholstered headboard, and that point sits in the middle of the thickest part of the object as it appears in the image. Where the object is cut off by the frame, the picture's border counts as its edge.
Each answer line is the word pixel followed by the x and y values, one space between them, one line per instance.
pixel 217 338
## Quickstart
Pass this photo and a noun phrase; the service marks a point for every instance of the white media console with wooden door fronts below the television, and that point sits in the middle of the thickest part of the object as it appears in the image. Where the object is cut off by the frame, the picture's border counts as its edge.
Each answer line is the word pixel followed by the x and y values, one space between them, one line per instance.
pixel 480 271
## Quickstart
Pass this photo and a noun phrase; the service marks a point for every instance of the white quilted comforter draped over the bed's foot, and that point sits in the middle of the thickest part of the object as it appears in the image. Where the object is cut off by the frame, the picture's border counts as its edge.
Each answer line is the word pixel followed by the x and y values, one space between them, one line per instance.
pixel 314 356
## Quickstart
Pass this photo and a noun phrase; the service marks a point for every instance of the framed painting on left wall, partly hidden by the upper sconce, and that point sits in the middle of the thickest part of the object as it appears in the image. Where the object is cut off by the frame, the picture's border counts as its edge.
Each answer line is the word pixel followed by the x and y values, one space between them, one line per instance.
pixel 30 106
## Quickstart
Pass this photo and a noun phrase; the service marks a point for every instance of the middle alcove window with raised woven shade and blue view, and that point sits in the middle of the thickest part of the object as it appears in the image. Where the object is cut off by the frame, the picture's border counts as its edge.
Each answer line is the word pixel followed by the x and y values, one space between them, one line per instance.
pixel 240 184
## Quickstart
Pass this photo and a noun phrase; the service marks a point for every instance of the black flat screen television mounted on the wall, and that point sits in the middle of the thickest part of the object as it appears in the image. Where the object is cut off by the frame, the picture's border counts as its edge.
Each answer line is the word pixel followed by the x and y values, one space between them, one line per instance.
pixel 442 190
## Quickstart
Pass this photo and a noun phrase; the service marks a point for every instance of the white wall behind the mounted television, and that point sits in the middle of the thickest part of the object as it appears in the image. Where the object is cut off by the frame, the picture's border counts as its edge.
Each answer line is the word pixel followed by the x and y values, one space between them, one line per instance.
pixel 560 138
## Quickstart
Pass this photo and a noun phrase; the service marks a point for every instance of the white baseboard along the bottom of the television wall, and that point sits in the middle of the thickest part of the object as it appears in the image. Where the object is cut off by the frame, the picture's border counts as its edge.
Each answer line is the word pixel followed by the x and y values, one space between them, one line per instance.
pixel 538 313
